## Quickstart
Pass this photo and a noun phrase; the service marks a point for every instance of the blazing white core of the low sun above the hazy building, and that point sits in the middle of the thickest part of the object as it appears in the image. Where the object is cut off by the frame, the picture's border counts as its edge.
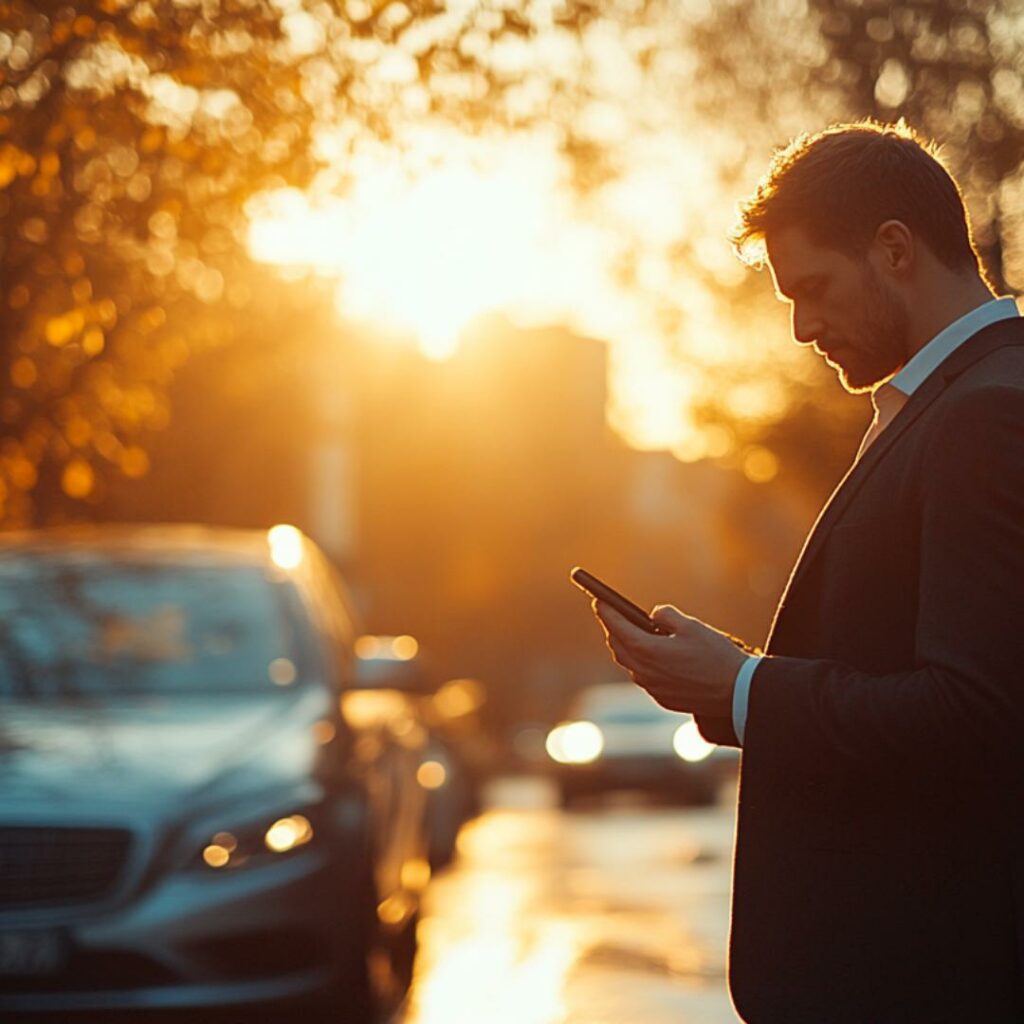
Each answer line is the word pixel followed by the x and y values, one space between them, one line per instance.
pixel 424 254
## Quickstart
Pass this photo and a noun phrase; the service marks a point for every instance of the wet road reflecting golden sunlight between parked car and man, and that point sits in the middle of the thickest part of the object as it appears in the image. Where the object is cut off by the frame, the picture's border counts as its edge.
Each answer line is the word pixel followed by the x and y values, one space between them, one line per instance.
pixel 614 914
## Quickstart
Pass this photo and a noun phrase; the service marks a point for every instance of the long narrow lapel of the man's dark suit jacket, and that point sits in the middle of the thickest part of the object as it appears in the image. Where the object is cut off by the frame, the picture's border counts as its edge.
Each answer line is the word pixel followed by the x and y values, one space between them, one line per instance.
pixel 988 340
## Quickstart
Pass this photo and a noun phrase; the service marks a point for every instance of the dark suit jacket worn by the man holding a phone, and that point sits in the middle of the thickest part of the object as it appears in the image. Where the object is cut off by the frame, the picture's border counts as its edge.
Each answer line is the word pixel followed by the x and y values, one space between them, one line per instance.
pixel 879 871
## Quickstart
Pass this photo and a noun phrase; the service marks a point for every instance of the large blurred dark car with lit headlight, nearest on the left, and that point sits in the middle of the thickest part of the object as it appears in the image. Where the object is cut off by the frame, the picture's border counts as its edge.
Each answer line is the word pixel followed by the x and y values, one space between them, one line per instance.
pixel 199 804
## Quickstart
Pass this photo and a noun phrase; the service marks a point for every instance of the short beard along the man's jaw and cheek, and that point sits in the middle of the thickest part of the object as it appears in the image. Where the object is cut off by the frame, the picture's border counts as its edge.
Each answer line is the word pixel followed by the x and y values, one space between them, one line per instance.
pixel 880 346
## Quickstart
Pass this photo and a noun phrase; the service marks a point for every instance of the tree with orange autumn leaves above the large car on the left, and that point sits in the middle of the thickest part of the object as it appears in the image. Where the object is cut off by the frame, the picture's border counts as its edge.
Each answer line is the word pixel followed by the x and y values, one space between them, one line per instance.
pixel 133 134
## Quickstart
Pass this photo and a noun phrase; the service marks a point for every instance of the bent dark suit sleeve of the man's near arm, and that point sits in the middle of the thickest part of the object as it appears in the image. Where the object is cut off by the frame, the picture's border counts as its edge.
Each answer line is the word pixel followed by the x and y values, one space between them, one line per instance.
pixel 964 701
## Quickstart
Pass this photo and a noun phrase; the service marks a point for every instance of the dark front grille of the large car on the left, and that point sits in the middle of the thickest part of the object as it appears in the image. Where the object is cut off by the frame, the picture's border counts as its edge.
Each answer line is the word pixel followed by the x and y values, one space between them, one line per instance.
pixel 42 866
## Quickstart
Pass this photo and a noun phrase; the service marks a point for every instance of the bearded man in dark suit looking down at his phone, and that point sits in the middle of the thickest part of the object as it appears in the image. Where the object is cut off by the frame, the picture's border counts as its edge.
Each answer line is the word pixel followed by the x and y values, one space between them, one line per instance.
pixel 879 873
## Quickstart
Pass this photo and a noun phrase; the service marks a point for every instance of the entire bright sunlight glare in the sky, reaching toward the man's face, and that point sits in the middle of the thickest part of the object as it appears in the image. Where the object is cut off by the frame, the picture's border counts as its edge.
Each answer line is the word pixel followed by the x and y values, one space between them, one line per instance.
pixel 429 235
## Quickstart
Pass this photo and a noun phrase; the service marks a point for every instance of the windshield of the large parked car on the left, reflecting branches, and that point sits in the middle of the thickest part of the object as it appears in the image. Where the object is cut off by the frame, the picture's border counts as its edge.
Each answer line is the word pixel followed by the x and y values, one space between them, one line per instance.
pixel 74 626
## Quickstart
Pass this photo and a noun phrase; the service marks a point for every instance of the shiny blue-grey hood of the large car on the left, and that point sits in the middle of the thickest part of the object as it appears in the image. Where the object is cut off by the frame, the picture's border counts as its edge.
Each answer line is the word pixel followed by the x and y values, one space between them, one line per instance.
pixel 154 752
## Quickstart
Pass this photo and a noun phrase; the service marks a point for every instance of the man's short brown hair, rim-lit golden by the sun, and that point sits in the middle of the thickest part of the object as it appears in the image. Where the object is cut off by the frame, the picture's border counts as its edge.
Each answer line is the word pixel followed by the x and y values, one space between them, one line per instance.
pixel 841 184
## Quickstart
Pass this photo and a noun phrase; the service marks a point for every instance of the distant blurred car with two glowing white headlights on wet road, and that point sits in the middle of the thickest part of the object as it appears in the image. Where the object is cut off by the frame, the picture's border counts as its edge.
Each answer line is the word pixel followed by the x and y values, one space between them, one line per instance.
pixel 619 739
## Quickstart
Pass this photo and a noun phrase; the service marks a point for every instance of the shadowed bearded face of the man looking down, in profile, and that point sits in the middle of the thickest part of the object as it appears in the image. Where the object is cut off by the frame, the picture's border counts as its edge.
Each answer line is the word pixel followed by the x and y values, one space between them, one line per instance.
pixel 842 306
